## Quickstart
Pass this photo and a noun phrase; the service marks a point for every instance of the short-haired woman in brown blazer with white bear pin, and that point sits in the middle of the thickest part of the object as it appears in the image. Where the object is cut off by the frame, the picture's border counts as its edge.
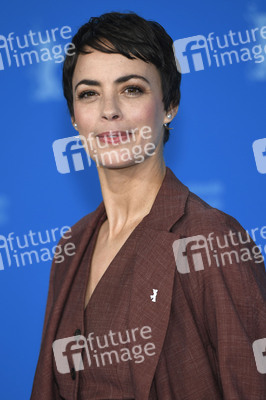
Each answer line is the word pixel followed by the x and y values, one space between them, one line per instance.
pixel 165 296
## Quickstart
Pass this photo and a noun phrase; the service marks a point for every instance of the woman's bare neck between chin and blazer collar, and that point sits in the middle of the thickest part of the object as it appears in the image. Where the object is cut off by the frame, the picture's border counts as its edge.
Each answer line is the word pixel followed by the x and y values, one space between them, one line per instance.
pixel 129 193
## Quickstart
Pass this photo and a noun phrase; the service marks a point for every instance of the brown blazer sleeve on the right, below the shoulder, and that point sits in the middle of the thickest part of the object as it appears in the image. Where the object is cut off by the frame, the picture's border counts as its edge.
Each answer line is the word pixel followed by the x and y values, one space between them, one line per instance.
pixel 228 293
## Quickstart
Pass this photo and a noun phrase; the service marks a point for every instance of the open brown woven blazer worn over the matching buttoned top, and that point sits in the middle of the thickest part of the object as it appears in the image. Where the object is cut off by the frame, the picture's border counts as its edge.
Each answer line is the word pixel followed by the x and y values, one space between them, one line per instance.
pixel 205 318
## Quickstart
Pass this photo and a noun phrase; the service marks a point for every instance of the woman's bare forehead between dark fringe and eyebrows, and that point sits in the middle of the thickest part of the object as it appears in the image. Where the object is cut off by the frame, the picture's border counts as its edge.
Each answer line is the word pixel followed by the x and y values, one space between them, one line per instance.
pixel 109 67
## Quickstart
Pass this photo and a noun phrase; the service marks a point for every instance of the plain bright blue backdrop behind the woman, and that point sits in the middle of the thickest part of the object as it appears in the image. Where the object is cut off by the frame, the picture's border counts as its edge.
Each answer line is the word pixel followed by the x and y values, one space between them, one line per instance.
pixel 221 115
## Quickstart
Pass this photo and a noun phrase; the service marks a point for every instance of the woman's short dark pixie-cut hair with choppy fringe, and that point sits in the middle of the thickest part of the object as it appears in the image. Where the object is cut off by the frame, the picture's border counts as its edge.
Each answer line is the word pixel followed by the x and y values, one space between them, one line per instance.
pixel 133 37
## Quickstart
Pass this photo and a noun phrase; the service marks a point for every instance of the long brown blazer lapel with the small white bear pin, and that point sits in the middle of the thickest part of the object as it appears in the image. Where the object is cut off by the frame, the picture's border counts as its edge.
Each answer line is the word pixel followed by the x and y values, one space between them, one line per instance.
pixel 154 268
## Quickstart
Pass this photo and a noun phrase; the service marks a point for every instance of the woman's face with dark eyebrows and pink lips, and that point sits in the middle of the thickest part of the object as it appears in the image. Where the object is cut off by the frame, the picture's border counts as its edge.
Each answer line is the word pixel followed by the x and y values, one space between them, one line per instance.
pixel 118 109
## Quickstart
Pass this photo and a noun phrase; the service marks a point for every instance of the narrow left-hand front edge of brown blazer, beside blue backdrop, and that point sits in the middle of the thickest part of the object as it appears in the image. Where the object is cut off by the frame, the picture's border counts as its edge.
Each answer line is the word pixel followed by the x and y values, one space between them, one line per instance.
pixel 43 387
